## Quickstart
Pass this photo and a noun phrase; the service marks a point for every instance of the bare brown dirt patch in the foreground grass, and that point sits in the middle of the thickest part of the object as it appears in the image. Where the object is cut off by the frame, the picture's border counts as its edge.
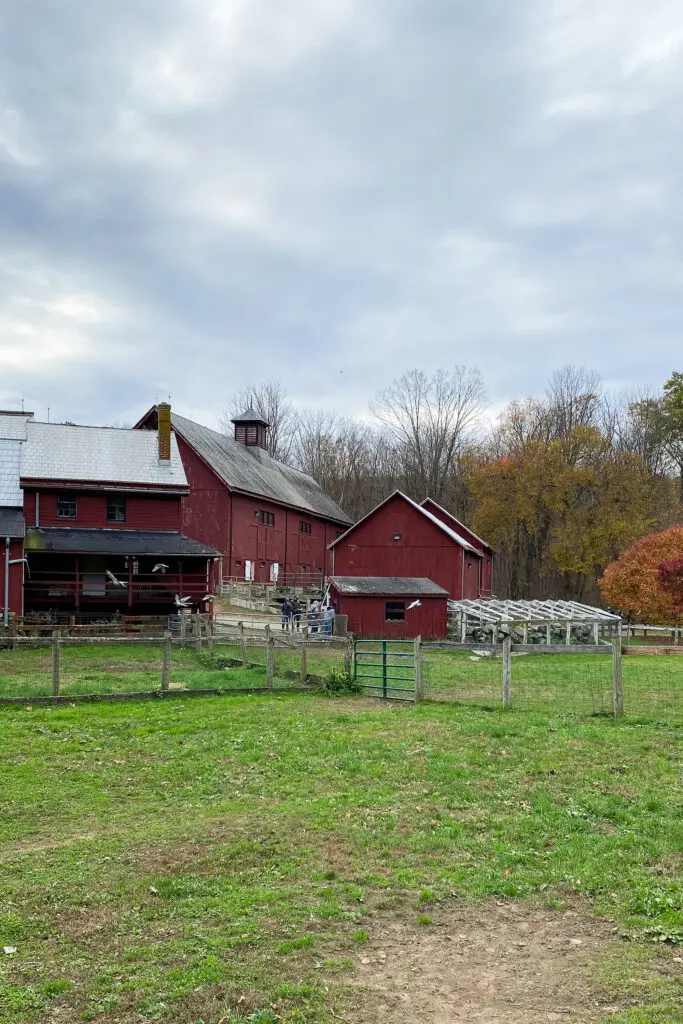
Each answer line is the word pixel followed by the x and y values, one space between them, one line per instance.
pixel 499 964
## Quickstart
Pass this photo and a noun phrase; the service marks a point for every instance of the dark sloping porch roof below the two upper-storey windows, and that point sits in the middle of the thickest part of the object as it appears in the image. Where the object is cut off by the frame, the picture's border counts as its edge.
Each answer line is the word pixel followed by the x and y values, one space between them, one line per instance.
pixel 113 542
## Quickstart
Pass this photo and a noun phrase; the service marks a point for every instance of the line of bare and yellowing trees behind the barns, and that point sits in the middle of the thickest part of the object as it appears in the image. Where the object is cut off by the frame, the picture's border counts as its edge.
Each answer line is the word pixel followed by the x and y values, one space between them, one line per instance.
pixel 560 486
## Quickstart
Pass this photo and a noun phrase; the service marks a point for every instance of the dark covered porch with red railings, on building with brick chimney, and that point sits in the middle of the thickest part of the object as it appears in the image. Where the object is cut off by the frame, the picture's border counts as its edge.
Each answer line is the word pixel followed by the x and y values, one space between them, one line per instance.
pixel 112 571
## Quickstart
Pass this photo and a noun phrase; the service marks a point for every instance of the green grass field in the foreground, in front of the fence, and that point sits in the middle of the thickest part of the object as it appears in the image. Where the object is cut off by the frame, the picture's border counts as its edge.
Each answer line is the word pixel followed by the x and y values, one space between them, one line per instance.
pixel 252 859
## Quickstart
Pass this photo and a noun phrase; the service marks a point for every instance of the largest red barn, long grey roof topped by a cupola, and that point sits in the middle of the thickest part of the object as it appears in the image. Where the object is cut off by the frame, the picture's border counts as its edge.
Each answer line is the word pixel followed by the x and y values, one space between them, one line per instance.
pixel 269 521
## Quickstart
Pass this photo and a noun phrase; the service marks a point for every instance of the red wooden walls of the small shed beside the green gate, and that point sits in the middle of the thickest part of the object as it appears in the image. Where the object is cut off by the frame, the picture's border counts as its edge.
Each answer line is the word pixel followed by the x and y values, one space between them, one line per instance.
pixel 367 617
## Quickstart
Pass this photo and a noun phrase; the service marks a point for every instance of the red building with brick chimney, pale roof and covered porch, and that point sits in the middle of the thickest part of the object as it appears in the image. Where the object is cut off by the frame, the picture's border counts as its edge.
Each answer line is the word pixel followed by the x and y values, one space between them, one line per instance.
pixel 96 521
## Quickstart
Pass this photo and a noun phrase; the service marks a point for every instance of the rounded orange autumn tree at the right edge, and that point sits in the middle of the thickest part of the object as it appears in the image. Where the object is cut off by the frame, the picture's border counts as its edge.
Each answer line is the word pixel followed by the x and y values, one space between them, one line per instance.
pixel 633 583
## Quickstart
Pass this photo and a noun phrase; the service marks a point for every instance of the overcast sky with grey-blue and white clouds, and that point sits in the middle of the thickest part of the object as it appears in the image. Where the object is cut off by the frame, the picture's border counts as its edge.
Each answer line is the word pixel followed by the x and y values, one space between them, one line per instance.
pixel 197 195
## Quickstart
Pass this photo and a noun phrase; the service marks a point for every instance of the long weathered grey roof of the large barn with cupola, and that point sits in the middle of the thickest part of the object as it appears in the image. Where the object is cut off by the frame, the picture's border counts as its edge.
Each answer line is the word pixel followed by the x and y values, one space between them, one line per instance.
pixel 253 472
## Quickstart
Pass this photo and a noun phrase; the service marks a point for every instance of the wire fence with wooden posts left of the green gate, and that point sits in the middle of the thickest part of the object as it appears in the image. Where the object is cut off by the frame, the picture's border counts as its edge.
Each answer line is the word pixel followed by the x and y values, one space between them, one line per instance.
pixel 66 668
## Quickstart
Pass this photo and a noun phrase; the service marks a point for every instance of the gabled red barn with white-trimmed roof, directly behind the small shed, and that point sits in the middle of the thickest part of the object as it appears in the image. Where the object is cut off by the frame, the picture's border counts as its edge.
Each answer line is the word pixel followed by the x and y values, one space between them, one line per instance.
pixel 402 538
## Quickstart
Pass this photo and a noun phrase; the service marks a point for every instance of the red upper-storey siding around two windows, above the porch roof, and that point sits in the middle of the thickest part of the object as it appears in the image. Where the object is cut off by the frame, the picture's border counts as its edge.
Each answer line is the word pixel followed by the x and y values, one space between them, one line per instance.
pixel 143 511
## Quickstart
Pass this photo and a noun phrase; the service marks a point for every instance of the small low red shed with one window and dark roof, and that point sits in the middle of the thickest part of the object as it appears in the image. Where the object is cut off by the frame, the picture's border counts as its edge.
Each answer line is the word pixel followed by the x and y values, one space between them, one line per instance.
pixel 392 608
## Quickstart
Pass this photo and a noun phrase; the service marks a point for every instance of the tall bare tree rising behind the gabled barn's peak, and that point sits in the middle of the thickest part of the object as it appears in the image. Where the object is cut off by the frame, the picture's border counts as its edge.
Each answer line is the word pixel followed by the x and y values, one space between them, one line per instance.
pixel 431 422
